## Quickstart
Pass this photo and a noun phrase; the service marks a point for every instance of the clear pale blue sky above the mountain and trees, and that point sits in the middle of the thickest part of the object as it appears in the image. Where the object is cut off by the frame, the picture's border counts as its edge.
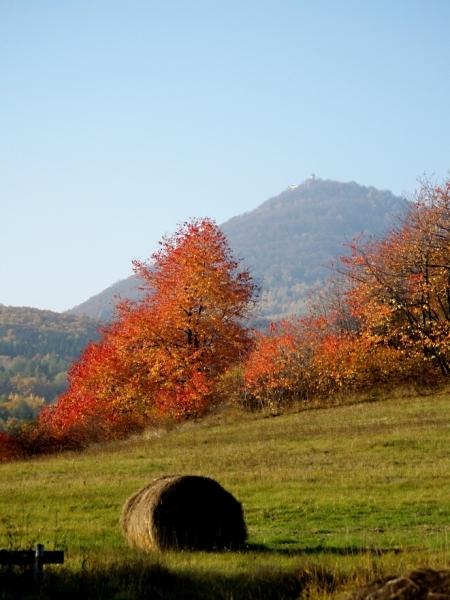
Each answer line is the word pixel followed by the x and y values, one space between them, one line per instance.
pixel 119 120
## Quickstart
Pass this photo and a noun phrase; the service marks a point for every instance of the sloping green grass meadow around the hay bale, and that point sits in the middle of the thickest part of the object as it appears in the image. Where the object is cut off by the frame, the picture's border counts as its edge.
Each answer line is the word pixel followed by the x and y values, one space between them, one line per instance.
pixel 332 497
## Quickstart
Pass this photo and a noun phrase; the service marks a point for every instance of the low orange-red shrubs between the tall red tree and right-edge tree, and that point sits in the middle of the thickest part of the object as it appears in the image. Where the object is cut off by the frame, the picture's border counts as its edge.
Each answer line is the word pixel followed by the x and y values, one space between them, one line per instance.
pixel 317 356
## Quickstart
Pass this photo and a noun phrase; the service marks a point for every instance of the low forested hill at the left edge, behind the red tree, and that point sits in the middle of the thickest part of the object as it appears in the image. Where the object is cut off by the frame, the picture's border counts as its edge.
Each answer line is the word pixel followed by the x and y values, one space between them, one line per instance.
pixel 36 348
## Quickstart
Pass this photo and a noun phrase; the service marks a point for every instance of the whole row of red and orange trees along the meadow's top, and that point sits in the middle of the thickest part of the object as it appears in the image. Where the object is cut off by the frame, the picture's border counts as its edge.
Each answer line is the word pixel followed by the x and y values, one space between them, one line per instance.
pixel 382 319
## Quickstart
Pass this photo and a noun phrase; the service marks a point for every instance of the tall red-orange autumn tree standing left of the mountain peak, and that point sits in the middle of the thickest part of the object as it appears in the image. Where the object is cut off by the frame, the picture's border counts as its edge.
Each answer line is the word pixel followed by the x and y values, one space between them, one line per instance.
pixel 163 355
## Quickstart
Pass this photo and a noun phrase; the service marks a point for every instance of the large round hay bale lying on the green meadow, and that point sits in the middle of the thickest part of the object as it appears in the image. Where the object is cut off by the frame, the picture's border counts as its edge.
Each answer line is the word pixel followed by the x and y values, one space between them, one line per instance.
pixel 183 512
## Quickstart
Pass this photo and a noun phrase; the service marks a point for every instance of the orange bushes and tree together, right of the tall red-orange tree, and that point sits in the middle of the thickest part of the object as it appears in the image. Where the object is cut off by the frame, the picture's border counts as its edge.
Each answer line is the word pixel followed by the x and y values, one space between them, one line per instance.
pixel 384 318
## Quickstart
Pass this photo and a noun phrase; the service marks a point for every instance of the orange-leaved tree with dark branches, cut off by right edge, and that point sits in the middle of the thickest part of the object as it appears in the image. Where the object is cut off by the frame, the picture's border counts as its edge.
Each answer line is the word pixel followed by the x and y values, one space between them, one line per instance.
pixel 402 283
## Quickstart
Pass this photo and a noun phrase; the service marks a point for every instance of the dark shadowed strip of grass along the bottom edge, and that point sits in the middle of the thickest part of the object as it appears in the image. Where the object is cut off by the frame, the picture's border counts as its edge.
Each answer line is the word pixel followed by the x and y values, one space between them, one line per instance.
pixel 142 581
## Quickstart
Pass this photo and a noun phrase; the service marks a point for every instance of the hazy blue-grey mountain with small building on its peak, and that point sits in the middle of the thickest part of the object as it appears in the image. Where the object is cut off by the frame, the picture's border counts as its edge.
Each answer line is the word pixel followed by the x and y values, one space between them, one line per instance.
pixel 288 242
